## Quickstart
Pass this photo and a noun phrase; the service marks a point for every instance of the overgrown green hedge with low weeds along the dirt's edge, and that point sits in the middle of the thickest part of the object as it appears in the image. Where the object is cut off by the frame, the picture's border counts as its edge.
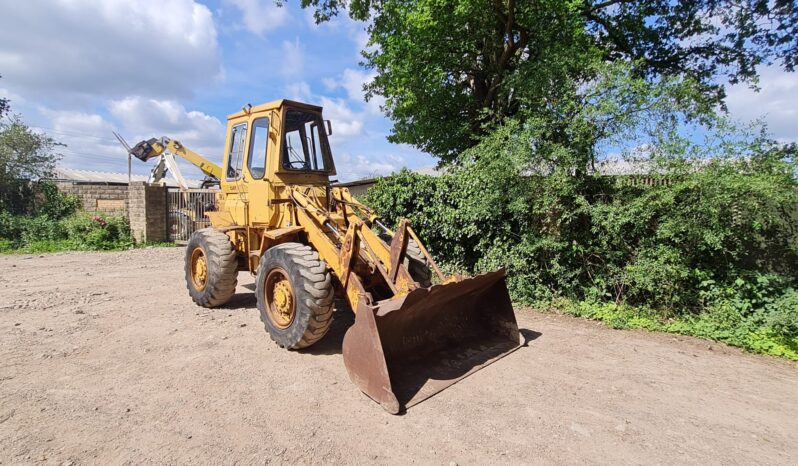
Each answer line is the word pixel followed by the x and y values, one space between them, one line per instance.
pixel 711 250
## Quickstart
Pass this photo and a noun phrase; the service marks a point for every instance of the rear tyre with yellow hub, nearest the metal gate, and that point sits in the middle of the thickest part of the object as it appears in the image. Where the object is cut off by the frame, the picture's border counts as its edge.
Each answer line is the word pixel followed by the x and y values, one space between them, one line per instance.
pixel 211 267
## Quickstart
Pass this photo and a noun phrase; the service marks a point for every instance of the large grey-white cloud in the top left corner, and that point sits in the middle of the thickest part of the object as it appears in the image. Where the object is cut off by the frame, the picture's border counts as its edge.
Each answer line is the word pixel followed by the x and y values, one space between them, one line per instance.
pixel 108 48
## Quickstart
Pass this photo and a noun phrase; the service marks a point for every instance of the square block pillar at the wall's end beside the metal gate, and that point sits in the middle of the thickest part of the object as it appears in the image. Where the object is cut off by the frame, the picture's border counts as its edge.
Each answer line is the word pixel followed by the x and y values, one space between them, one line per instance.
pixel 147 212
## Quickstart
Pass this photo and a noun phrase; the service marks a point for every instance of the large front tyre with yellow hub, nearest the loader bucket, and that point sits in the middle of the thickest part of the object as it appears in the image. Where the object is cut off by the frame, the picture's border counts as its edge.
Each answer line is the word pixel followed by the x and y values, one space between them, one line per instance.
pixel 295 295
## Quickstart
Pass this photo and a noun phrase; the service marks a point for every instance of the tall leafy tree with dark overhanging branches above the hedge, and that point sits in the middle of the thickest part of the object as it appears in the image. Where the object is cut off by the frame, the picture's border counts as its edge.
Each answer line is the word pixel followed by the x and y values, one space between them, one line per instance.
pixel 450 69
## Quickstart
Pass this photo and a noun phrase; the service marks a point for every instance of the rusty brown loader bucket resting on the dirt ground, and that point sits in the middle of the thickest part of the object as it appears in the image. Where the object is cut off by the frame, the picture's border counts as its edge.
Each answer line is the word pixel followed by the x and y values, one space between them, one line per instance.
pixel 404 350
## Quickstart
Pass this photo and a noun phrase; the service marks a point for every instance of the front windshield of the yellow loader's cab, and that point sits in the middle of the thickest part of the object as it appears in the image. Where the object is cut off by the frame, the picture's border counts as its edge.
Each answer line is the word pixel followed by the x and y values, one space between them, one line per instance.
pixel 305 145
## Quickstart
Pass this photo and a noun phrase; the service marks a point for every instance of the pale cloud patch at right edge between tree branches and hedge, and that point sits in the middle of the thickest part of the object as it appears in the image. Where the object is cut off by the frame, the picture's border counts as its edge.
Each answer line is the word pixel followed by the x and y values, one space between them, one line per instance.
pixel 776 102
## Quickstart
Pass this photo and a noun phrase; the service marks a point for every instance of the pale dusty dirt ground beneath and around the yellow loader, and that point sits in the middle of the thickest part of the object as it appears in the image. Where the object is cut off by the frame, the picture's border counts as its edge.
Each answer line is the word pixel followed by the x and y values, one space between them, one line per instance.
pixel 105 360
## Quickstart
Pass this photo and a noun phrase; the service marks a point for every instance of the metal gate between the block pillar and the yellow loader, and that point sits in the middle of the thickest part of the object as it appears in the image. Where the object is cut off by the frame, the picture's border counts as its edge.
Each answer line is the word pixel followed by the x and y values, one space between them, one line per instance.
pixel 185 211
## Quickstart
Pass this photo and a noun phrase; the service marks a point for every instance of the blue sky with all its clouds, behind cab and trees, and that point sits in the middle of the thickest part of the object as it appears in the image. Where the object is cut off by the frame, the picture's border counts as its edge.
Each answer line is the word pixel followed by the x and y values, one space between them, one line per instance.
pixel 80 69
